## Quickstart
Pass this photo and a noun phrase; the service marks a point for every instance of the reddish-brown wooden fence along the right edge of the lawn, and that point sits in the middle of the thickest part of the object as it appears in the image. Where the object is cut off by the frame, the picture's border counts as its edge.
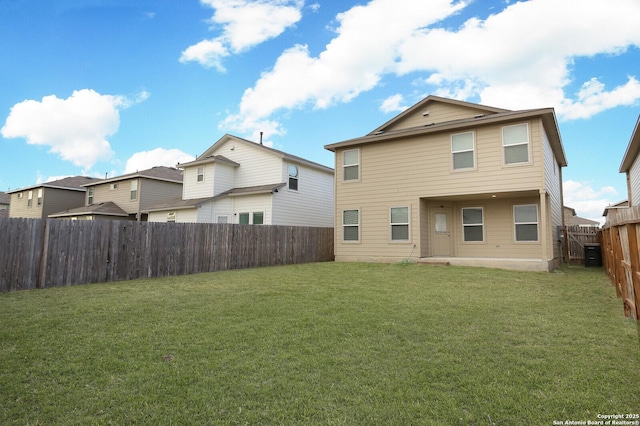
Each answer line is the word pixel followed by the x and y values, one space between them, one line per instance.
pixel 620 239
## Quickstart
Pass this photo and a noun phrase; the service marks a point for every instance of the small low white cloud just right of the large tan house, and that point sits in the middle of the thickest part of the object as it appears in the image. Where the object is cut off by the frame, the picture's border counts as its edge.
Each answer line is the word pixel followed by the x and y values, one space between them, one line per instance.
pixel 587 201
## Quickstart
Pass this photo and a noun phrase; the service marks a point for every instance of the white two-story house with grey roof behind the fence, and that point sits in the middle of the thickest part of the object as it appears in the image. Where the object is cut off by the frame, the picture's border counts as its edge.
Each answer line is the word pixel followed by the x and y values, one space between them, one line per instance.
pixel 239 181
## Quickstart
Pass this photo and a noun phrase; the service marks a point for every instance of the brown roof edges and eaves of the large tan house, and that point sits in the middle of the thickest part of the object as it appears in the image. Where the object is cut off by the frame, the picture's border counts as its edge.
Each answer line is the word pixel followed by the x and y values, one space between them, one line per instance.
pixel 494 115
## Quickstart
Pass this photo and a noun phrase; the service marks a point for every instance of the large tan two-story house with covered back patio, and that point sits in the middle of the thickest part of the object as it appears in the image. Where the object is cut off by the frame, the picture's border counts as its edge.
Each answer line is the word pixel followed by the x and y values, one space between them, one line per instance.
pixel 453 182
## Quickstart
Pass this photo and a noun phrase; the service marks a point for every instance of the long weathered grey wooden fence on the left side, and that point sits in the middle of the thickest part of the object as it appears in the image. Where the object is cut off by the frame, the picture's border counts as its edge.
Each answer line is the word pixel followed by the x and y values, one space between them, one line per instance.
pixel 38 253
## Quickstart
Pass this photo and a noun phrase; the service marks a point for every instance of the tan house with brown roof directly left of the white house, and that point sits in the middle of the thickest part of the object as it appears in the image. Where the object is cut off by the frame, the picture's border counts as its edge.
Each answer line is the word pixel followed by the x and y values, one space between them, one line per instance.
pixel 124 197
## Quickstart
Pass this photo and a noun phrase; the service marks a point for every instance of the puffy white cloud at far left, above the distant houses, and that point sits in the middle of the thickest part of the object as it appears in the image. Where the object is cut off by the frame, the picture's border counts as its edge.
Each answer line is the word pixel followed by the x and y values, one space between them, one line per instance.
pixel 76 128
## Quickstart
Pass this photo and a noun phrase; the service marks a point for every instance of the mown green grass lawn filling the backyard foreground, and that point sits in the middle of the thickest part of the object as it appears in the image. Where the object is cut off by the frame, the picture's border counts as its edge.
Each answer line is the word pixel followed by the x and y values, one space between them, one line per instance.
pixel 326 343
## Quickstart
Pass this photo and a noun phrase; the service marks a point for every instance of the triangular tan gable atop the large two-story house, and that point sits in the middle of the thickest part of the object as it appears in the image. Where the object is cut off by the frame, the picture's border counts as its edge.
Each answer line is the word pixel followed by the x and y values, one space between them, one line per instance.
pixel 434 110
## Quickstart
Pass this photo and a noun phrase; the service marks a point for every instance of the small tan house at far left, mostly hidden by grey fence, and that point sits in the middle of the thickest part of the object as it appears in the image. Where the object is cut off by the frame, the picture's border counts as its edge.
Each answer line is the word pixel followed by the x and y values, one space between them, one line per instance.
pixel 39 201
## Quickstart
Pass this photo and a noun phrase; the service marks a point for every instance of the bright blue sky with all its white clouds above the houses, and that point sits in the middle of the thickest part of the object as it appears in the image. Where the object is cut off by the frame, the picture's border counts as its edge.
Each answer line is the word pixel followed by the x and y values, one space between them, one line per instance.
pixel 106 87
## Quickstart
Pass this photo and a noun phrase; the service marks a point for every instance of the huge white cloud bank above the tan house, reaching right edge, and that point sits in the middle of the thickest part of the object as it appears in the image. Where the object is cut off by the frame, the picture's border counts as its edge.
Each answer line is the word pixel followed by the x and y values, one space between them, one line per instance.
pixel 520 57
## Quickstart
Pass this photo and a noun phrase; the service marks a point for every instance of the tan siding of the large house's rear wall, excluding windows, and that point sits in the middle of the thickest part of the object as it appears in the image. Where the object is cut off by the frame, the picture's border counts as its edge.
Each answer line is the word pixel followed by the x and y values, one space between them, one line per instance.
pixel 410 171
